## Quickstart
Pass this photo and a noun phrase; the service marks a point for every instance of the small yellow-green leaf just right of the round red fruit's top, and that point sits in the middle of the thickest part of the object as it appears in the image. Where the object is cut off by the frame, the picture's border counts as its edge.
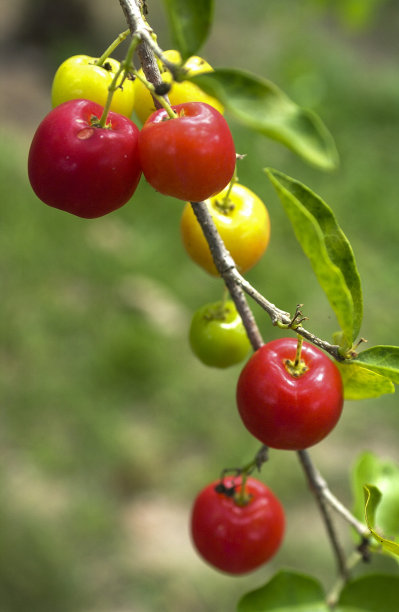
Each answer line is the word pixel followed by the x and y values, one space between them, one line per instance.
pixel 360 383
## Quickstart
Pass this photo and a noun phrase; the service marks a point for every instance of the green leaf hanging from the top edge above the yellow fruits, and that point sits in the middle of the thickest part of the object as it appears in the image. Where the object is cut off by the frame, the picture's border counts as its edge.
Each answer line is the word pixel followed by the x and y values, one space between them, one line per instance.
pixel 190 23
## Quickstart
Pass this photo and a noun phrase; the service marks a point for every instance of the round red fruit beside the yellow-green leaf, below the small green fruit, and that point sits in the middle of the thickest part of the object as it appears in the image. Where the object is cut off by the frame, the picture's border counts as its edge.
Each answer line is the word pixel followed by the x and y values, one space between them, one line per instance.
pixel 284 411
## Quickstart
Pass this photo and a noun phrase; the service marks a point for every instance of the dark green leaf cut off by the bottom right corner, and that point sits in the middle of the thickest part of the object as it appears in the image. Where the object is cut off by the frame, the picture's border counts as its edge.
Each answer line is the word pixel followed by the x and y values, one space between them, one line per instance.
pixel 370 593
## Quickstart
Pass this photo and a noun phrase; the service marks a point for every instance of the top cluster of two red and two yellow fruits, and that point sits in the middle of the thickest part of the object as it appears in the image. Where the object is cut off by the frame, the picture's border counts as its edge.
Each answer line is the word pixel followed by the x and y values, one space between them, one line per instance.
pixel 87 158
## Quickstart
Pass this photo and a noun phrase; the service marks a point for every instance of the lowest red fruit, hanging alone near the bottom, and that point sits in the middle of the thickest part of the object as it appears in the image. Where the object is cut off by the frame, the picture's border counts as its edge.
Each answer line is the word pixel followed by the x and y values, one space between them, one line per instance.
pixel 237 538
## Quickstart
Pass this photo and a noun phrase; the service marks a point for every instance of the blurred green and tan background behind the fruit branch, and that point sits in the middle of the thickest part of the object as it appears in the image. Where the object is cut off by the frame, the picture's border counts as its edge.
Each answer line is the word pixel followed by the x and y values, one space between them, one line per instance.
pixel 108 424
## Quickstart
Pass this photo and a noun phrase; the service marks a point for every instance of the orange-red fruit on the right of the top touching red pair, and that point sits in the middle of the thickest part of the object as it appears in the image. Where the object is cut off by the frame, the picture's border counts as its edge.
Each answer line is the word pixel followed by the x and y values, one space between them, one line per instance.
pixel 191 157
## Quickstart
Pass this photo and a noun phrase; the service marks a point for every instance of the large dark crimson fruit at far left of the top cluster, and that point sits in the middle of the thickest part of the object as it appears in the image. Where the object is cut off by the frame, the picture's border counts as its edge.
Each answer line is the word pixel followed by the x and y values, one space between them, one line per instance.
pixel 85 170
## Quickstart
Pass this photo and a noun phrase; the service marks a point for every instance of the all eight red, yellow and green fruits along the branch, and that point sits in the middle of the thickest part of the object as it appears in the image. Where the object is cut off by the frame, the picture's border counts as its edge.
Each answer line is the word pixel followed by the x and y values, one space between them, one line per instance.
pixel 86 158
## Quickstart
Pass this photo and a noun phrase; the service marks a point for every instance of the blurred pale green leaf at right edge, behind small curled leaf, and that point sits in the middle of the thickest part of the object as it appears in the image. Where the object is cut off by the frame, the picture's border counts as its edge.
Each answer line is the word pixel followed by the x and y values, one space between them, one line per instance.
pixel 384 474
